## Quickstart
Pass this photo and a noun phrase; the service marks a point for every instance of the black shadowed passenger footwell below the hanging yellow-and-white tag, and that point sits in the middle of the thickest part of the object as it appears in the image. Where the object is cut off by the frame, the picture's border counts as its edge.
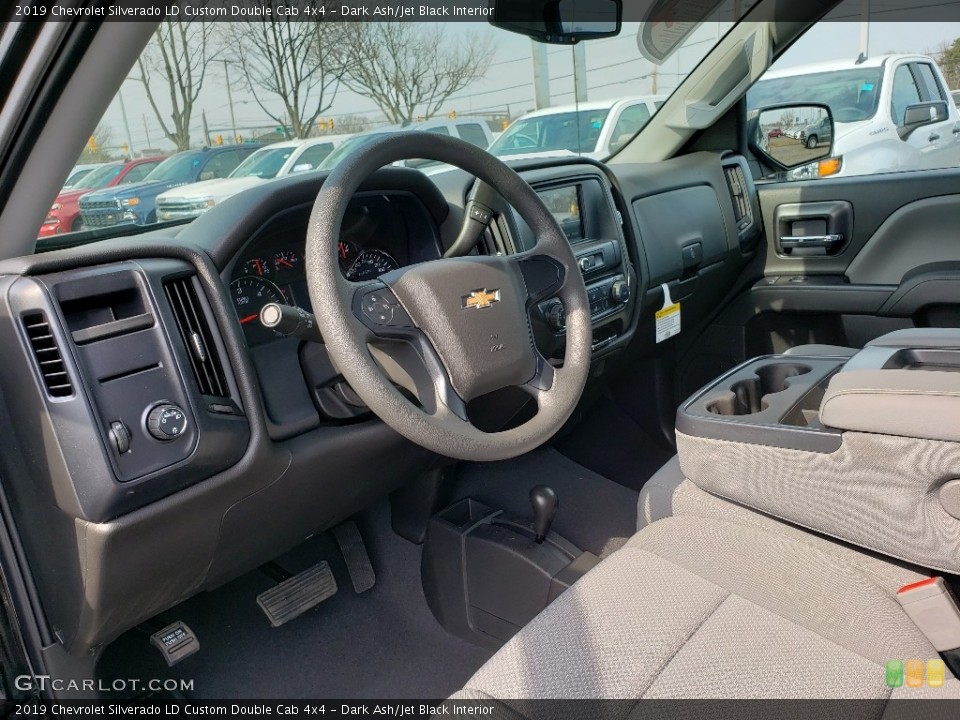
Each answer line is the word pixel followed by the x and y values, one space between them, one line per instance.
pixel 609 442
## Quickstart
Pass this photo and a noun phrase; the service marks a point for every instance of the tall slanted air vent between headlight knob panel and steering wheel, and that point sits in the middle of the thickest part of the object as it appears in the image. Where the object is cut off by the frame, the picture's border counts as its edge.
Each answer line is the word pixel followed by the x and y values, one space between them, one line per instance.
pixel 197 336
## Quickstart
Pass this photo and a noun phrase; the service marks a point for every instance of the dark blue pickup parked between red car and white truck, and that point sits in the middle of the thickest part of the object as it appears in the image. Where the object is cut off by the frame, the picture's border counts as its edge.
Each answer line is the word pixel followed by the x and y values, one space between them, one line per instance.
pixel 136 203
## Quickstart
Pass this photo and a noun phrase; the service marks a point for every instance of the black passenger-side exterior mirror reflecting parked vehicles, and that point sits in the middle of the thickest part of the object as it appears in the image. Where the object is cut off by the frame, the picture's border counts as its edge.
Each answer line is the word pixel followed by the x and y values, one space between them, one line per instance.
pixel 790 136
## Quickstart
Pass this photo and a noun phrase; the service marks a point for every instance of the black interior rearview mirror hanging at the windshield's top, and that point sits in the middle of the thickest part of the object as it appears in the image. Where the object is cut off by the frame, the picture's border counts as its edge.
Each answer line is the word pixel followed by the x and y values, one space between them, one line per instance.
pixel 559 22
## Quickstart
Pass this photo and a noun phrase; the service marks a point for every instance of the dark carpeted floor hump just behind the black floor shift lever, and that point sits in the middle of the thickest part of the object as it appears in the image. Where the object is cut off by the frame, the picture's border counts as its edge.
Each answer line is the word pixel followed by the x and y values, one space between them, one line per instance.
pixel 596 514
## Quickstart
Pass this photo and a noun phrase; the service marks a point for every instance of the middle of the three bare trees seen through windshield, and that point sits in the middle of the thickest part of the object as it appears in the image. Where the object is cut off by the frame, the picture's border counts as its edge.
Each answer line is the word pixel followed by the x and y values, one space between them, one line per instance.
pixel 286 58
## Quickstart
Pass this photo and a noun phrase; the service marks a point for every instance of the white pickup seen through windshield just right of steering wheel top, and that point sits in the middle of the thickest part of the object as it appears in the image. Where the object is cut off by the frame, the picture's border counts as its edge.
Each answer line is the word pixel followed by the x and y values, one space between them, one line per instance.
pixel 592 129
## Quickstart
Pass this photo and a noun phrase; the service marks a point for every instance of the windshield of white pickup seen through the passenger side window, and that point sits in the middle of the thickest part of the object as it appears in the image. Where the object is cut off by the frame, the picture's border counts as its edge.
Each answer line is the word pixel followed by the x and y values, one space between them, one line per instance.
pixel 852 95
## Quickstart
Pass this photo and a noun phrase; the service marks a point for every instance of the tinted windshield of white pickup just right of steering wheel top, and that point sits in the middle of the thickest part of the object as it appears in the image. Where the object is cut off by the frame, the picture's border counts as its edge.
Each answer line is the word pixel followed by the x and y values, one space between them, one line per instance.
pixel 575 132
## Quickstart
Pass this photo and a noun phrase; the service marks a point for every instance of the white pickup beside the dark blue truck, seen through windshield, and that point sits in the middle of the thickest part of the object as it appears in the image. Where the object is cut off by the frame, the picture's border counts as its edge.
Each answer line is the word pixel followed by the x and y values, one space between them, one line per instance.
pixel 273 161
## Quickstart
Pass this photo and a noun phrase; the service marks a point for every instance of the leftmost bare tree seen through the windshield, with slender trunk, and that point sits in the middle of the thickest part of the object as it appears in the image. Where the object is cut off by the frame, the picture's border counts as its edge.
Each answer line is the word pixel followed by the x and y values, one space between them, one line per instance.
pixel 180 53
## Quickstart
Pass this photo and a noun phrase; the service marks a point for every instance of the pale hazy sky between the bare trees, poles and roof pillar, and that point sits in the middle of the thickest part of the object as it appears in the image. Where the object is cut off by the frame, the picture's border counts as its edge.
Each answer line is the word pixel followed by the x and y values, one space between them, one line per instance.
pixel 615 68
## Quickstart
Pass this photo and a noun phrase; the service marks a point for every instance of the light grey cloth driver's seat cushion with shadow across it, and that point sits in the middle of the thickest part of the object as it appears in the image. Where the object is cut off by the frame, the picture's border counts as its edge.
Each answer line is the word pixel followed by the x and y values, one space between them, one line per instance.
pixel 697 607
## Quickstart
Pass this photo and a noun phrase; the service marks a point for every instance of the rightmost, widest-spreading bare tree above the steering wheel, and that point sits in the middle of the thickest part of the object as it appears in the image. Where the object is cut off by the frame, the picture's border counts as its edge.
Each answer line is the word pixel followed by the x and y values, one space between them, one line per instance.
pixel 408 70
